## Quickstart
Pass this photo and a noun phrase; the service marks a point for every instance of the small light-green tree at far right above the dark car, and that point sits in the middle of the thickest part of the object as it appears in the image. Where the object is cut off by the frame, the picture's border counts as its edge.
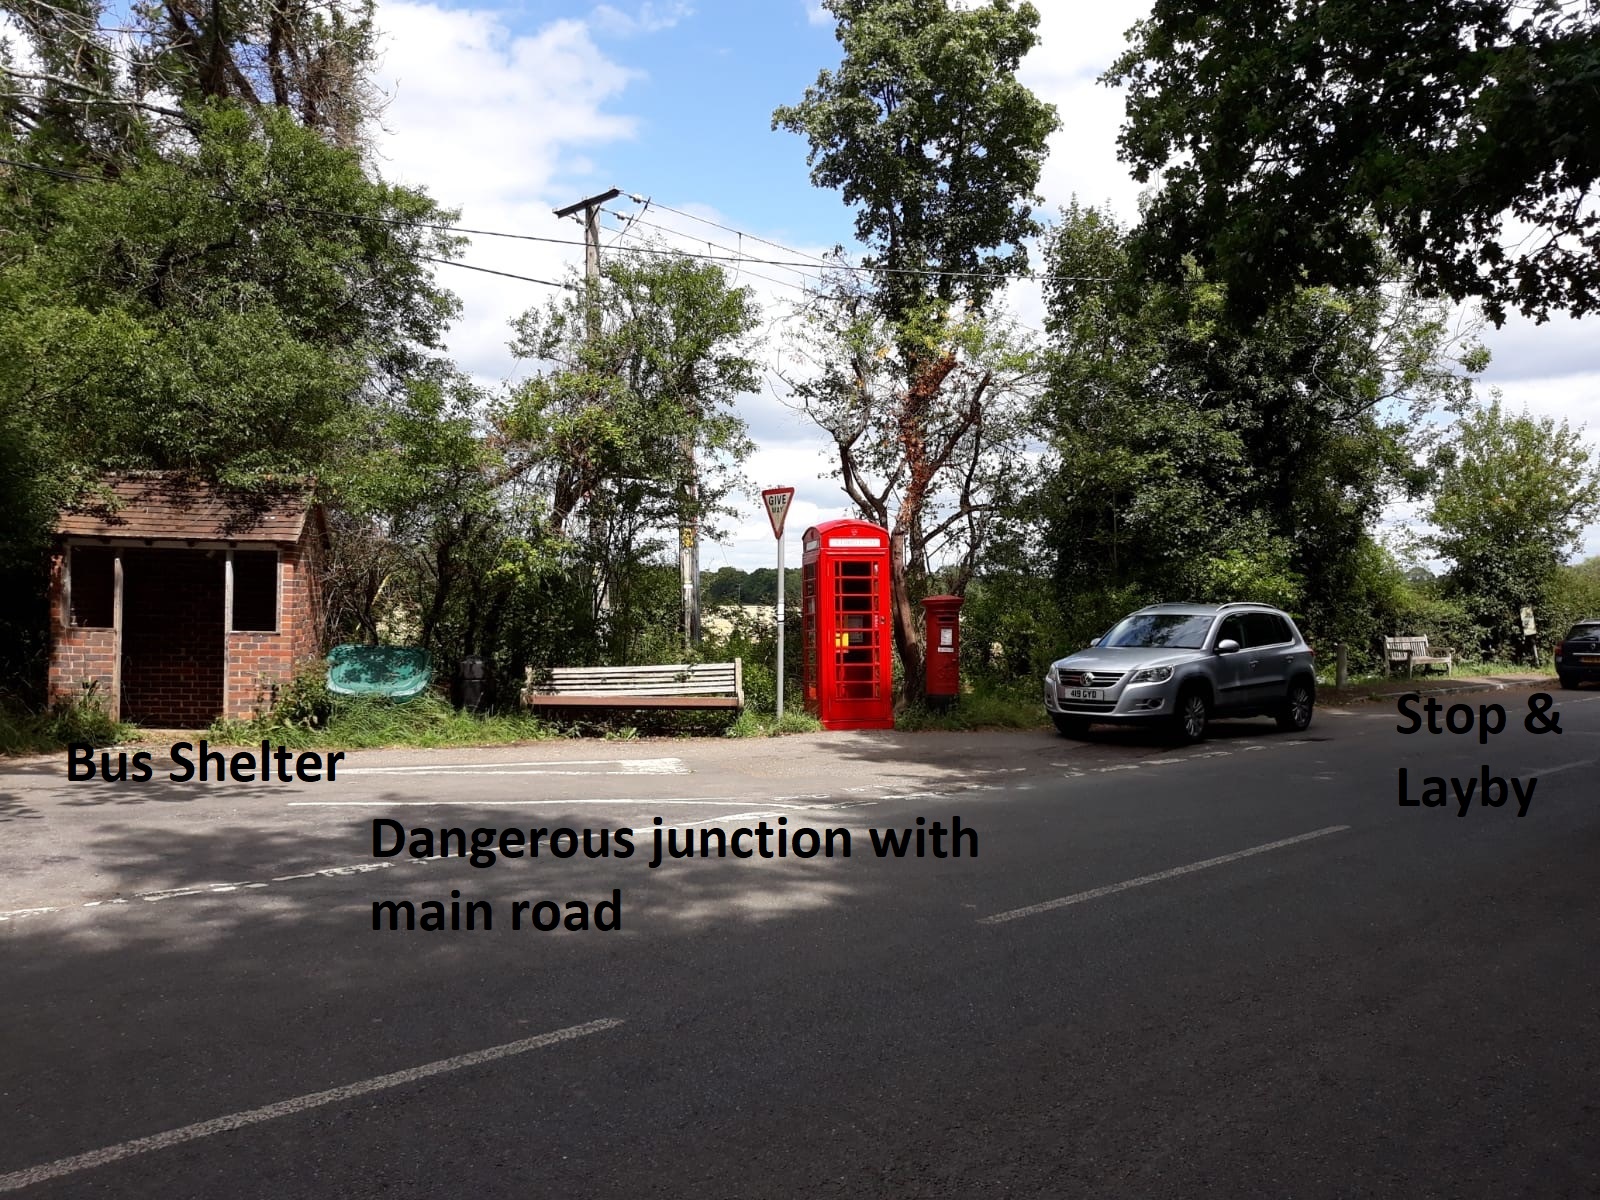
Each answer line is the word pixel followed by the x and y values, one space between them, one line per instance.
pixel 1514 497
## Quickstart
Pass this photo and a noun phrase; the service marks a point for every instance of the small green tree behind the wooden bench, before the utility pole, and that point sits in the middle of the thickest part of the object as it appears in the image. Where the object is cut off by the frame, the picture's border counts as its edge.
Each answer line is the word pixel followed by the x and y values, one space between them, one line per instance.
pixel 630 433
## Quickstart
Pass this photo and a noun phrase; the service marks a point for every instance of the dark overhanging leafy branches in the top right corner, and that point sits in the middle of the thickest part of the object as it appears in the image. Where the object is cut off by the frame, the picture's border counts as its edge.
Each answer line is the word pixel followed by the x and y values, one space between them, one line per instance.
pixel 1286 134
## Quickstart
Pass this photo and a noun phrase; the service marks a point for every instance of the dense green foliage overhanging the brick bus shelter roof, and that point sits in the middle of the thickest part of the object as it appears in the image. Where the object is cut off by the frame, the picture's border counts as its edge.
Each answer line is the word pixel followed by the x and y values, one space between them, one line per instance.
pixel 188 314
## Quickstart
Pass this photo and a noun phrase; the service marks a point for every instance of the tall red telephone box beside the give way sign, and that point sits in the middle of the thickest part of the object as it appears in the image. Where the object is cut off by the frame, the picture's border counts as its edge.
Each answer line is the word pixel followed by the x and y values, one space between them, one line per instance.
pixel 846 615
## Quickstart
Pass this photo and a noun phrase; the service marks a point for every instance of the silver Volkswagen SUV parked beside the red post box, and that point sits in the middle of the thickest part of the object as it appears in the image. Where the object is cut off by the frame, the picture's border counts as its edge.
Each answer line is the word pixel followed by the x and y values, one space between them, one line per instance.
pixel 1182 665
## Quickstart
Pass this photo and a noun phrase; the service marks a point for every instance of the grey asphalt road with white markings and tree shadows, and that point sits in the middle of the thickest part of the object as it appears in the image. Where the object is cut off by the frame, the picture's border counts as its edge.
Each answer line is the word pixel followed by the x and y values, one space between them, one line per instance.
pixel 1241 969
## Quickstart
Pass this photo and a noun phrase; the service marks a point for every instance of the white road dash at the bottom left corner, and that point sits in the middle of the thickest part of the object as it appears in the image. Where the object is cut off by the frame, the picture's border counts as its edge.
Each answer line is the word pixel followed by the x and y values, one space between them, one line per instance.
pixel 239 1121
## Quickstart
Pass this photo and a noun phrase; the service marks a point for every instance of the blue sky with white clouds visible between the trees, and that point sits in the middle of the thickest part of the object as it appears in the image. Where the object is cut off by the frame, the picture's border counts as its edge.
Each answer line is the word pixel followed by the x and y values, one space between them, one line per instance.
pixel 511 111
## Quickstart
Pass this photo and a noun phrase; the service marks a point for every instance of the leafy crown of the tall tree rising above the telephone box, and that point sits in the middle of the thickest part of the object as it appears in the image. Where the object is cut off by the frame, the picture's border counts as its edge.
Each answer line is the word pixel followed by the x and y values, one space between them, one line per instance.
pixel 927 130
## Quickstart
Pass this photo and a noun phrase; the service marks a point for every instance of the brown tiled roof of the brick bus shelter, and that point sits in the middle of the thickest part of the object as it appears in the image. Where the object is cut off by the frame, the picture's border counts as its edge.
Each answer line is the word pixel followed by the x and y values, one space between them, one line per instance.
pixel 166 506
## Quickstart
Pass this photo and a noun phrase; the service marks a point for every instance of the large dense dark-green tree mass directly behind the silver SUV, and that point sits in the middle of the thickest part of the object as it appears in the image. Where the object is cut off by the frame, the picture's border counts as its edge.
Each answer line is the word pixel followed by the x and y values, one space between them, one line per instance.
pixel 1206 462
